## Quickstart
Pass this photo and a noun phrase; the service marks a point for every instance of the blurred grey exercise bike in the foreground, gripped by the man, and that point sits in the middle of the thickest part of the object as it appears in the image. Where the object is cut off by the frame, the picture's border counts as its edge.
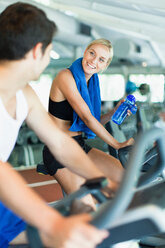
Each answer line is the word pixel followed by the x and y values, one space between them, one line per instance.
pixel 128 215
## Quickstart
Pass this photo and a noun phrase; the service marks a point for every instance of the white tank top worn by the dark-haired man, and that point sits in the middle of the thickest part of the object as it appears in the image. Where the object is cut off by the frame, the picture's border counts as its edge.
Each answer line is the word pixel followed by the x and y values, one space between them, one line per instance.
pixel 9 127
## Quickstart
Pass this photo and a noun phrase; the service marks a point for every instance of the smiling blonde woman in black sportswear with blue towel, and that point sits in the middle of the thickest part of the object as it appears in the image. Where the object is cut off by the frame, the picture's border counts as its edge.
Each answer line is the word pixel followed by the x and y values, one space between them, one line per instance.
pixel 75 105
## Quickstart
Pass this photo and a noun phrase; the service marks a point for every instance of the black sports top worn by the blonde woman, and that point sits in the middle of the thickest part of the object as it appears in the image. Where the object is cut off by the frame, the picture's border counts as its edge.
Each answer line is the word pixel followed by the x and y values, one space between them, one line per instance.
pixel 61 110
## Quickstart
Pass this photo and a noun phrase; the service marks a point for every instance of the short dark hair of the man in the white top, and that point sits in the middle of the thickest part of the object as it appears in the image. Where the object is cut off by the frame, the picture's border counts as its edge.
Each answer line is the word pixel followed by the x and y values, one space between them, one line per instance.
pixel 22 26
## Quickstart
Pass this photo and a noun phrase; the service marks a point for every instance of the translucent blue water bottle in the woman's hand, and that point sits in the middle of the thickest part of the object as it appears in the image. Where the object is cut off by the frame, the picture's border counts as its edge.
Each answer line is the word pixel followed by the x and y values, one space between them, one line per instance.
pixel 120 114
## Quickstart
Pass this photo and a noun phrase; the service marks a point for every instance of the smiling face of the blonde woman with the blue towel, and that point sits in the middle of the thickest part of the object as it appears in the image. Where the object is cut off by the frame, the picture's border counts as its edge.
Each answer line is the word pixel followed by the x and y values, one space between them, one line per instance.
pixel 95 59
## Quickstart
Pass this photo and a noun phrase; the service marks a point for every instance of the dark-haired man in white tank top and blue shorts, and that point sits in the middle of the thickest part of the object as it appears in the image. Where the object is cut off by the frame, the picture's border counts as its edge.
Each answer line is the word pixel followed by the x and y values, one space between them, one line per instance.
pixel 25 45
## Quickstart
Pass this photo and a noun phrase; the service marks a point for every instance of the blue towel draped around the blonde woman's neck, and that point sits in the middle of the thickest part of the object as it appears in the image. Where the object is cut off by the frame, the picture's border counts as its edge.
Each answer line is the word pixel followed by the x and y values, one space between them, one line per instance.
pixel 90 94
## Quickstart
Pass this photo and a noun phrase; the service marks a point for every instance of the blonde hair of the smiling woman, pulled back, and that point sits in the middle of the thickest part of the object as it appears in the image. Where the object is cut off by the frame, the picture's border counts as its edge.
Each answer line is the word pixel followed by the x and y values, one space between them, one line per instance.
pixel 106 43
